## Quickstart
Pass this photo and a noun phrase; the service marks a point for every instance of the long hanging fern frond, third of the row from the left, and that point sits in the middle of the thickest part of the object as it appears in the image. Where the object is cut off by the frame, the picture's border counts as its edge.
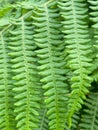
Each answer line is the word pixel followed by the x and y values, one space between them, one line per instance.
pixel 48 38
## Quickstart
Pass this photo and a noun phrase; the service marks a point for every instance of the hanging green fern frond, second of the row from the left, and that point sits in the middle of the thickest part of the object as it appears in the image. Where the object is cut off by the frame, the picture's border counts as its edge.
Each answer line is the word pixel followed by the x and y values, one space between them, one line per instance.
pixel 26 89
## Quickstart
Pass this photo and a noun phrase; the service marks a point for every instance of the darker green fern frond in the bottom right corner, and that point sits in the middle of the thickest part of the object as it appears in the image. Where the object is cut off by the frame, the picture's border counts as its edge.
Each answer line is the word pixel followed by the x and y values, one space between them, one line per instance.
pixel 89 119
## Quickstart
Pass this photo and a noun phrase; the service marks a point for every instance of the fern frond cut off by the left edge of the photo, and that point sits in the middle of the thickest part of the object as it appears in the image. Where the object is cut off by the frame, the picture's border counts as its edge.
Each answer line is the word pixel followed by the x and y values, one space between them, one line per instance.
pixel 6 95
